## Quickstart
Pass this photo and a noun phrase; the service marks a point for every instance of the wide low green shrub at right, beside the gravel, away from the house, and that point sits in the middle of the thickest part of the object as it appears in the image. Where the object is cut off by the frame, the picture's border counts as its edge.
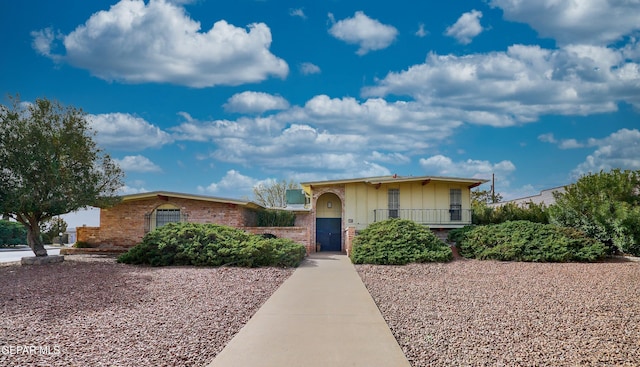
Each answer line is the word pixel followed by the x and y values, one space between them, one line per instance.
pixel 527 241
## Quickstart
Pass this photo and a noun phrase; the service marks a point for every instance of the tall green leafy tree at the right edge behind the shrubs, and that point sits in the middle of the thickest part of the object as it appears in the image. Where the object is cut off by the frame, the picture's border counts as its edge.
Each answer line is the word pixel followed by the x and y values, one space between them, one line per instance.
pixel 605 206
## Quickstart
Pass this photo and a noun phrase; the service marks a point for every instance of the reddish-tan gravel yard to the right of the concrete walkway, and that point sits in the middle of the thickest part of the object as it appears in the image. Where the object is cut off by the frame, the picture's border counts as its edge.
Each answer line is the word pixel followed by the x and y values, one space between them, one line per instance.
pixel 488 313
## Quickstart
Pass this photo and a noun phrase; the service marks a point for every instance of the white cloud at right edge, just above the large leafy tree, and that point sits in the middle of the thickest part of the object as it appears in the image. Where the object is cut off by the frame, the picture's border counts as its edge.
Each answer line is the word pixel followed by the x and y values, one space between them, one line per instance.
pixel 619 150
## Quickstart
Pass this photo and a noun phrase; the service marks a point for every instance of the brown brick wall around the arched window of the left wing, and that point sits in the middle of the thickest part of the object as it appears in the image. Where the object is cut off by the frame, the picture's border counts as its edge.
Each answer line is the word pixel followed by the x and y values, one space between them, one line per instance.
pixel 124 224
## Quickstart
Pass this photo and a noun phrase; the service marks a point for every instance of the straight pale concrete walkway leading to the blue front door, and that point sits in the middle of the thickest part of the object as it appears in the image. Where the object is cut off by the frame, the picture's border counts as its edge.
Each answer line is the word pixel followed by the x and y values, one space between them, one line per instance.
pixel 321 316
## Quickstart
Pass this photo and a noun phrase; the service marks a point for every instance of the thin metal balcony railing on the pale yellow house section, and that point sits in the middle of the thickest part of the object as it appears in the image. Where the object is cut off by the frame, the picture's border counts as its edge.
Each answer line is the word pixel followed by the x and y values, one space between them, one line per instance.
pixel 426 216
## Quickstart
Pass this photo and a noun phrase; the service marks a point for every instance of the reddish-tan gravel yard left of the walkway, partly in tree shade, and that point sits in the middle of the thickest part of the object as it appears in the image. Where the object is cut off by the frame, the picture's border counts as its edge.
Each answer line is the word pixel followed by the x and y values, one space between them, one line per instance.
pixel 90 311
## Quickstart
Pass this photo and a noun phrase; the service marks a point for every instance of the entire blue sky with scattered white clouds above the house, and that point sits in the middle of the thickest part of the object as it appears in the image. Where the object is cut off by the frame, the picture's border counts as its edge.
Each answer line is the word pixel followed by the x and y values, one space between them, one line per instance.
pixel 214 97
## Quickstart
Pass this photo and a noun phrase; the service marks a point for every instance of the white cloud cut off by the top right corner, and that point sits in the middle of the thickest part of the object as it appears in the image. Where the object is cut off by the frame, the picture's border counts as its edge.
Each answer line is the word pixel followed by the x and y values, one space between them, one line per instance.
pixel 597 22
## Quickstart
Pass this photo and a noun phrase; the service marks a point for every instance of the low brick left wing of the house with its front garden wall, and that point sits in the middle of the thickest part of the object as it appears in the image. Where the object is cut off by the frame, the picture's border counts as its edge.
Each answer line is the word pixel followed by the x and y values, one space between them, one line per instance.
pixel 125 224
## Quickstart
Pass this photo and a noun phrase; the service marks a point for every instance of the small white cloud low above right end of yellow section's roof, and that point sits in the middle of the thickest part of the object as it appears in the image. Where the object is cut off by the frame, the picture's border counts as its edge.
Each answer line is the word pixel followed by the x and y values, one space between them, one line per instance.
pixel 444 166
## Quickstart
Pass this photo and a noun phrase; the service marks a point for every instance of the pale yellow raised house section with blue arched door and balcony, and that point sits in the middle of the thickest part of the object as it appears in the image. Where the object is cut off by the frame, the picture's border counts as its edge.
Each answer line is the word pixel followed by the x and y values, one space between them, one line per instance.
pixel 340 208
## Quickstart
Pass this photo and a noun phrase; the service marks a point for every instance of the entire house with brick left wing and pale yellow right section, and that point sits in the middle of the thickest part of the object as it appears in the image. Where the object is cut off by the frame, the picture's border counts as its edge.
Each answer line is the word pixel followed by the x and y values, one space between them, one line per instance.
pixel 328 213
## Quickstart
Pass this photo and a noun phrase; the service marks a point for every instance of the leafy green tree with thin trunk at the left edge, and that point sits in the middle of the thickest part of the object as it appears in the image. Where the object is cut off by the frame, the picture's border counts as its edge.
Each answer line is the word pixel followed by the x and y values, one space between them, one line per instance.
pixel 51 165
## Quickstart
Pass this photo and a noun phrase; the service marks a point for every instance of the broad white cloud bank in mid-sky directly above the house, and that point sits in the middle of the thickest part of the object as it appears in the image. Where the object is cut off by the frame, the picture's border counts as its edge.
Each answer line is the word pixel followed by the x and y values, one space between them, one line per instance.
pixel 326 134
